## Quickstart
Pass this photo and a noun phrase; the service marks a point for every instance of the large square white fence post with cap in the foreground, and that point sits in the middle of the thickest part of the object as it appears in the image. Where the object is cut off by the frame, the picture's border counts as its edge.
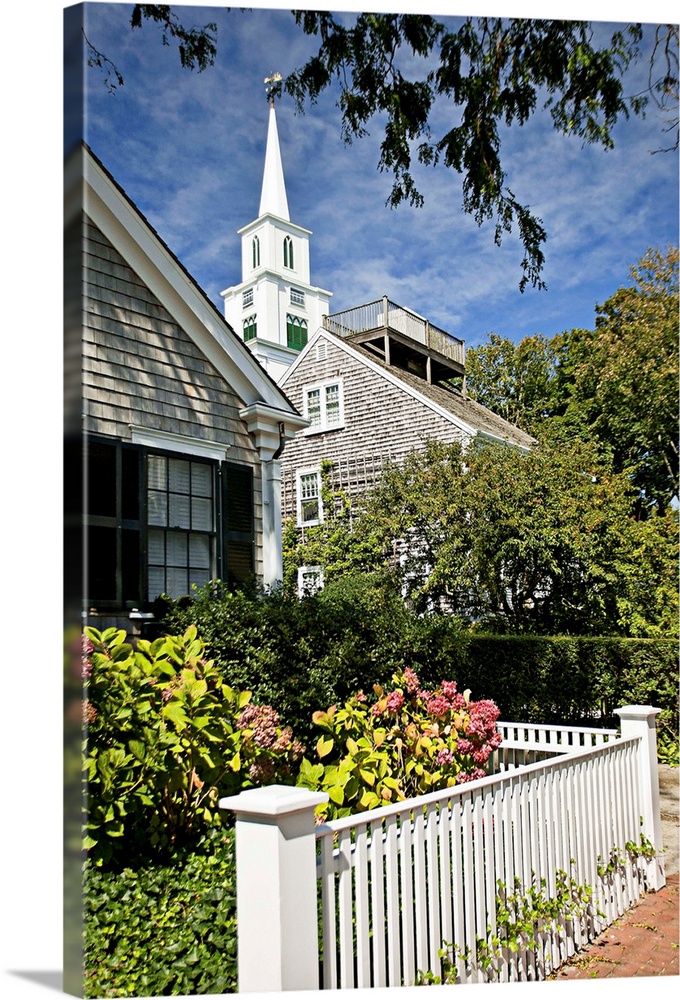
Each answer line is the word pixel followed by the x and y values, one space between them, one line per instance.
pixel 276 892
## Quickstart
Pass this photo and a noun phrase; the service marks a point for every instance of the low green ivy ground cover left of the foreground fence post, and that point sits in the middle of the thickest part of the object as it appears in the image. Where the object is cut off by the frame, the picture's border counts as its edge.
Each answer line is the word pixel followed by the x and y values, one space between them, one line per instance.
pixel 163 930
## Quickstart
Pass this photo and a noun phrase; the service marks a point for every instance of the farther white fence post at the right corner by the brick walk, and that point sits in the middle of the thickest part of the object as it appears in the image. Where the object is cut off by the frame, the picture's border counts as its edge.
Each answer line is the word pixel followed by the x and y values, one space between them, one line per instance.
pixel 640 721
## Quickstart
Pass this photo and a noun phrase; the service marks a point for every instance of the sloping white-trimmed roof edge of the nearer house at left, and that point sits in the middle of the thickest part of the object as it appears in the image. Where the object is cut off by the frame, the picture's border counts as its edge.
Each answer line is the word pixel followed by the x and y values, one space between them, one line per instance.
pixel 91 188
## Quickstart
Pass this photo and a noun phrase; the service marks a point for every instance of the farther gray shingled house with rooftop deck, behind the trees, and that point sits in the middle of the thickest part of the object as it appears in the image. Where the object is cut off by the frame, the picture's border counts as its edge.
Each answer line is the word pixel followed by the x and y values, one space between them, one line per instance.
pixel 375 382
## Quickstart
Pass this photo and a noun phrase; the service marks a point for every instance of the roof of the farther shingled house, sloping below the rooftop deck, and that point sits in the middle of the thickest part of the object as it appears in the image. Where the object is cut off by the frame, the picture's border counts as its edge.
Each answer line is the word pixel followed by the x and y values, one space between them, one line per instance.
pixel 472 418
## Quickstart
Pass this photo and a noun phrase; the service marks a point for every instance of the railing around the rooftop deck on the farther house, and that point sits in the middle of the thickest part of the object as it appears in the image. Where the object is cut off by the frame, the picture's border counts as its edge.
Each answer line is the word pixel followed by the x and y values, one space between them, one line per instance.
pixel 384 315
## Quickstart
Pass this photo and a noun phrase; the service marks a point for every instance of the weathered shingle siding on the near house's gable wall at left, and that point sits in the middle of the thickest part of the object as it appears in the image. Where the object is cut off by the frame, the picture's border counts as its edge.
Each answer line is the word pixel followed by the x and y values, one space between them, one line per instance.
pixel 140 367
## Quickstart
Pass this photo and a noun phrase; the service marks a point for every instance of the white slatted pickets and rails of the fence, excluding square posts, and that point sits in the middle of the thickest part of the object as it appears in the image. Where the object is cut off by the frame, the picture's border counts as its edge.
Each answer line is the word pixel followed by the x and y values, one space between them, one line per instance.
pixel 414 875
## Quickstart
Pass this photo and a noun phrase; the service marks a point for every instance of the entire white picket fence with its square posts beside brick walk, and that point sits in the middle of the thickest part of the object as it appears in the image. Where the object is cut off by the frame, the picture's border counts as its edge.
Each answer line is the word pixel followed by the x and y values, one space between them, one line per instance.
pixel 393 886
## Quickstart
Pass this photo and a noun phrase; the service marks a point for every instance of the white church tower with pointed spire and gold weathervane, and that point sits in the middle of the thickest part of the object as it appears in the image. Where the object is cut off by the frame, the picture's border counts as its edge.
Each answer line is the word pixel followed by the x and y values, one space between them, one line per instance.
pixel 275 309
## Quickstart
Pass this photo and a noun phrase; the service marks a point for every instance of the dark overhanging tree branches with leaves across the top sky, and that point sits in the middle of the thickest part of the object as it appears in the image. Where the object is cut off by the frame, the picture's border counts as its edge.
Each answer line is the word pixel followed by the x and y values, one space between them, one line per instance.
pixel 491 73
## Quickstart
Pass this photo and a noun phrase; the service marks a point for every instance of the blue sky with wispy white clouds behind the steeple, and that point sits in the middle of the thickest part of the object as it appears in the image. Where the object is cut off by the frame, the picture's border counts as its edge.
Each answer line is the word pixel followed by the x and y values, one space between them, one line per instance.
pixel 189 150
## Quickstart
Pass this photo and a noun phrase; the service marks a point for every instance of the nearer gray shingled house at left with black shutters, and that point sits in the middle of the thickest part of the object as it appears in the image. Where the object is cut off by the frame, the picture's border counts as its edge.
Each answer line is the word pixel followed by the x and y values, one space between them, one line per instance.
pixel 173 430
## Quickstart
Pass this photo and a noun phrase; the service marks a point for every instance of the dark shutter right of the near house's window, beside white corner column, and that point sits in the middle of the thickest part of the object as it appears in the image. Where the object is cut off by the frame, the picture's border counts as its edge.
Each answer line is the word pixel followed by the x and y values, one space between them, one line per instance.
pixel 238 524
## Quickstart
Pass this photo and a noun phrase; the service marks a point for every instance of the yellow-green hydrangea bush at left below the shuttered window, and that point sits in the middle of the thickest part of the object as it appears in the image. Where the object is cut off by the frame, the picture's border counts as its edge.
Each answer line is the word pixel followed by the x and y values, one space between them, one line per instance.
pixel 165 737
